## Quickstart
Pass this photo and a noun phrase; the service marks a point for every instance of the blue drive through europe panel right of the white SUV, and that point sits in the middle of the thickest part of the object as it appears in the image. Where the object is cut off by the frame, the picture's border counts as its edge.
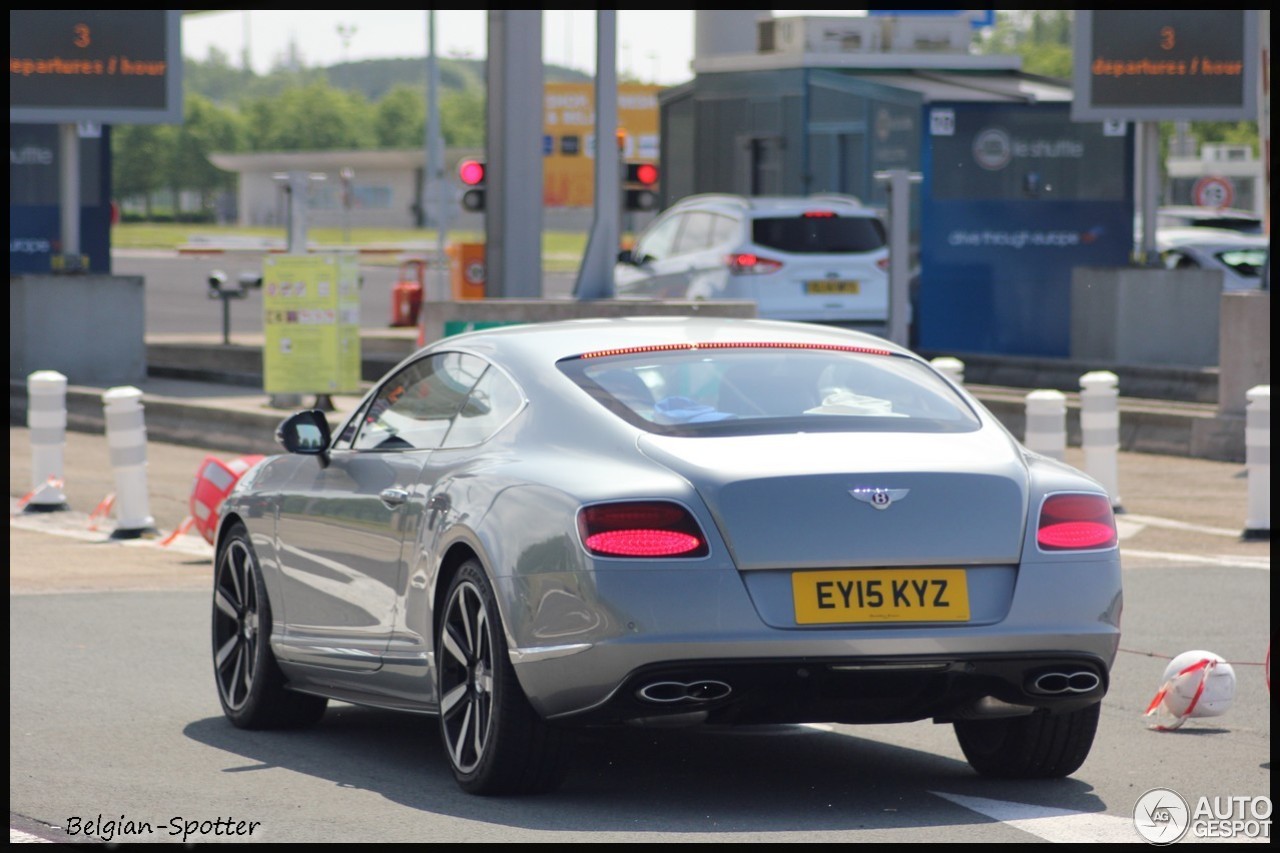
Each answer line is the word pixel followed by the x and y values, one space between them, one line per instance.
pixel 1014 198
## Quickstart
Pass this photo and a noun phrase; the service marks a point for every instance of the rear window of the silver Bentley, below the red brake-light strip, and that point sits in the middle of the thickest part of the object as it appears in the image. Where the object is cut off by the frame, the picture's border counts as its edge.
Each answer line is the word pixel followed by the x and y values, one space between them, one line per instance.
pixel 753 389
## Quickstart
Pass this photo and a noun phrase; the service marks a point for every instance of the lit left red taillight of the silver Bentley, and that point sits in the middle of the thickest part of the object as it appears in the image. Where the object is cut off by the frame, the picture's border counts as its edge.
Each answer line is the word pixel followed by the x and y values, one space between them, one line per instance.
pixel 641 530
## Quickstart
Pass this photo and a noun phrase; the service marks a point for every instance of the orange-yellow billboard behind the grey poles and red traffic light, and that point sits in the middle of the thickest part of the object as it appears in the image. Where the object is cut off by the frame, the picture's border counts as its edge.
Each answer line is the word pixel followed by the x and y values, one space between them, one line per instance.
pixel 569 138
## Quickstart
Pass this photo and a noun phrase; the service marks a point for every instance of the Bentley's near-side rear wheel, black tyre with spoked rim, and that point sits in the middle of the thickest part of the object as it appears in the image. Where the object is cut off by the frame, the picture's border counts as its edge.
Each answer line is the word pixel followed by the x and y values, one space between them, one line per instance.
pixel 495 740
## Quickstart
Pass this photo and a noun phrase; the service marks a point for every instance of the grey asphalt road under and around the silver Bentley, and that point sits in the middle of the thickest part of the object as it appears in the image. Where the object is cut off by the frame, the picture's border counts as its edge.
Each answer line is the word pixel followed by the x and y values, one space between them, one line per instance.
pixel 115 714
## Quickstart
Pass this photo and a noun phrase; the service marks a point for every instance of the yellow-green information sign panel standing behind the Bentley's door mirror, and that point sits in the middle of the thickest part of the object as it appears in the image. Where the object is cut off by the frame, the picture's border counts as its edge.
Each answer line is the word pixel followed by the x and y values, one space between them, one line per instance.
pixel 312 318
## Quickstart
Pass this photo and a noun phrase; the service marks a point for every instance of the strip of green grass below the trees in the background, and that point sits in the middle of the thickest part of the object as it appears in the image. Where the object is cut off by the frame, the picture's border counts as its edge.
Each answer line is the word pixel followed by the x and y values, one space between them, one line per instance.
pixel 563 252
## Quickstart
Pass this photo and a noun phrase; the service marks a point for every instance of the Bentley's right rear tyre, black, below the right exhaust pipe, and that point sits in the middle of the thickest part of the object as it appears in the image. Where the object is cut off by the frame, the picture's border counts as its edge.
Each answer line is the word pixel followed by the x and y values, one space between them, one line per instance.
pixel 1040 746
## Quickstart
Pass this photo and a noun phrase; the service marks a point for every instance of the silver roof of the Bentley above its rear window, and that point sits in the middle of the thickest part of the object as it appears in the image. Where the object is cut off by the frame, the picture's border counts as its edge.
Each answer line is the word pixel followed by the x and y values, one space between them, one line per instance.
pixel 550 343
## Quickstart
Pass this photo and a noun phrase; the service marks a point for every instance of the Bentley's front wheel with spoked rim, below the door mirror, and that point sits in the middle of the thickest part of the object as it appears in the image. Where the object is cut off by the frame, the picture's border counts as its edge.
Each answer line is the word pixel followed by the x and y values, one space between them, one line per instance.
pixel 250 685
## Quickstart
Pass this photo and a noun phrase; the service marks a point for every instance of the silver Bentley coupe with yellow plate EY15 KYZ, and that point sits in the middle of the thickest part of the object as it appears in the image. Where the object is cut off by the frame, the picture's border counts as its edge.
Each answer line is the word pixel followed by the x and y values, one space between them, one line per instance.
pixel 532 530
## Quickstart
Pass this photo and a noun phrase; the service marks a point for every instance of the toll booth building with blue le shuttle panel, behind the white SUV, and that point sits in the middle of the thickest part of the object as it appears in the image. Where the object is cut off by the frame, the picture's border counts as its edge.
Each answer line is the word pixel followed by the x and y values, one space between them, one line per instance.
pixel 1014 195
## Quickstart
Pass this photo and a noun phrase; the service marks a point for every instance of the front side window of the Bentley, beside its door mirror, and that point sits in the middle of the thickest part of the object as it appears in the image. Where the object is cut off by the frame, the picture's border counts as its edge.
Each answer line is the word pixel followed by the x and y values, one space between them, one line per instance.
pixel 414 408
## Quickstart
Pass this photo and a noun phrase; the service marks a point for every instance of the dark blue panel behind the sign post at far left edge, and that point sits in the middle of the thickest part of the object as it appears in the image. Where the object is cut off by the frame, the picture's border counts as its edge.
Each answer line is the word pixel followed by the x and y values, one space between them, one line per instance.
pixel 35 218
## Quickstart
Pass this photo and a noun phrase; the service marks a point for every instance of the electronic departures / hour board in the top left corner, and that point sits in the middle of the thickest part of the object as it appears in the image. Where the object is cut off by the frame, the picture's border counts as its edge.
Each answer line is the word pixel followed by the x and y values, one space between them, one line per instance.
pixel 112 67
